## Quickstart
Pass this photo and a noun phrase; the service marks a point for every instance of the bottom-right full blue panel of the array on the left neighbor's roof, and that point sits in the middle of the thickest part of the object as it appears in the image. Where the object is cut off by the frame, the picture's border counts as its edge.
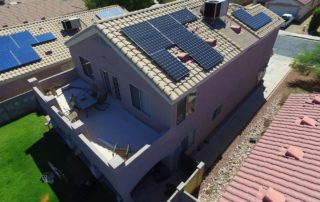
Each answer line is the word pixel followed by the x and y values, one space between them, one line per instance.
pixel 26 55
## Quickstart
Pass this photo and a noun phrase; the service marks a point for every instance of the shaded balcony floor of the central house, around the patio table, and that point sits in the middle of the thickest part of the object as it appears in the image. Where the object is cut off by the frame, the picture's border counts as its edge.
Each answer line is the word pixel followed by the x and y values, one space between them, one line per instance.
pixel 109 127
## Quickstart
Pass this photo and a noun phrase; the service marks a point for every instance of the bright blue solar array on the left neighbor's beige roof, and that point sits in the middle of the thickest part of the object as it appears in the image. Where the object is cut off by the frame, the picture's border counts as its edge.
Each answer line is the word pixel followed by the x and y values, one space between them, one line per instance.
pixel 16 49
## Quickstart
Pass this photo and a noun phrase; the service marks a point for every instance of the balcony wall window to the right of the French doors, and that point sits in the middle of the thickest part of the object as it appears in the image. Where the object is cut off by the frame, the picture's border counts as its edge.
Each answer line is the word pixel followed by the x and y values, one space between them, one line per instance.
pixel 139 100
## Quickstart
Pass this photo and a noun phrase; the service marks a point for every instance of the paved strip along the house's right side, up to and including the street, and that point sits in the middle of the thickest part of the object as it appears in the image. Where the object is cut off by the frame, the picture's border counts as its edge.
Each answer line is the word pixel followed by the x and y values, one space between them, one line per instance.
pixel 287 46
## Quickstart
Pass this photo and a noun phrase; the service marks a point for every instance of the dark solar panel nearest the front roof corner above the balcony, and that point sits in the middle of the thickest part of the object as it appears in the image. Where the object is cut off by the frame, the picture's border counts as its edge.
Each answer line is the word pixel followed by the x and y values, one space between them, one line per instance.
pixel 170 65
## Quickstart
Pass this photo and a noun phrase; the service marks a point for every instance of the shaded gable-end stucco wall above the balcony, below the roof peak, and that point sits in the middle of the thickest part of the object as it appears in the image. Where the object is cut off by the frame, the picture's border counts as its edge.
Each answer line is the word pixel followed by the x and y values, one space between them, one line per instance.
pixel 103 57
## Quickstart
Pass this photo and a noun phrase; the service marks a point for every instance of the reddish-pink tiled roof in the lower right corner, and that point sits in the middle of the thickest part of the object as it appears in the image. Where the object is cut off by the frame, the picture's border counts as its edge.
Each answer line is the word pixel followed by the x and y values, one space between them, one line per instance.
pixel 285 163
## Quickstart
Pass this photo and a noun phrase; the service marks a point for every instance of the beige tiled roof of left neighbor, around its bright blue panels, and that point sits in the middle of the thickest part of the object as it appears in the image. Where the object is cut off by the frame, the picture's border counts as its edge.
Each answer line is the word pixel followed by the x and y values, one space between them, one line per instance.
pixel 60 53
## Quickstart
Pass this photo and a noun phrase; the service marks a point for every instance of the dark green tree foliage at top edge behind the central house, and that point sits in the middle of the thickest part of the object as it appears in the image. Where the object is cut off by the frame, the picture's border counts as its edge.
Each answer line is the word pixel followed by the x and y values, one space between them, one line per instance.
pixel 130 5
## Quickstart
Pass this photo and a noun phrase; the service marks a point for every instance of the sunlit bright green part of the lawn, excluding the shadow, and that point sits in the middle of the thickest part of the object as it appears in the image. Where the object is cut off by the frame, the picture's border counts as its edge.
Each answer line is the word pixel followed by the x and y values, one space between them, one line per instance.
pixel 19 174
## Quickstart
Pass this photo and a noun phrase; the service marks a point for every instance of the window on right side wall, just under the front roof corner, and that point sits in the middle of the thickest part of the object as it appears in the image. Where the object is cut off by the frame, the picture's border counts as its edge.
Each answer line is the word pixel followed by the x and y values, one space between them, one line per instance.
pixel 186 107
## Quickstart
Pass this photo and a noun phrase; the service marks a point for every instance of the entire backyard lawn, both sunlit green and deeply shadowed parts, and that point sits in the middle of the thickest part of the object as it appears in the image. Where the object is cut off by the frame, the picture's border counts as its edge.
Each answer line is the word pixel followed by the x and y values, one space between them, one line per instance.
pixel 26 147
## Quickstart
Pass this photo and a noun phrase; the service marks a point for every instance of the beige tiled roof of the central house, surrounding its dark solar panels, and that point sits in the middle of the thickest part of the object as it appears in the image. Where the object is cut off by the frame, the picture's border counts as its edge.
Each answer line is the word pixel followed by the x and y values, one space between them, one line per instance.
pixel 227 46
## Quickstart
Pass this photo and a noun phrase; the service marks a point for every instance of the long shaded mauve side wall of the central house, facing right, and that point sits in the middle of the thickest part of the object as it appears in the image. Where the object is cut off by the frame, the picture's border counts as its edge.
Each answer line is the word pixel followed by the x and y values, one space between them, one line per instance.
pixel 227 88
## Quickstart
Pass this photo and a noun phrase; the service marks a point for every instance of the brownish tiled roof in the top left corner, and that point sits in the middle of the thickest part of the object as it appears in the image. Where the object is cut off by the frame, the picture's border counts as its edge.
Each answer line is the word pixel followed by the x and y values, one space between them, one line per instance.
pixel 33 10
